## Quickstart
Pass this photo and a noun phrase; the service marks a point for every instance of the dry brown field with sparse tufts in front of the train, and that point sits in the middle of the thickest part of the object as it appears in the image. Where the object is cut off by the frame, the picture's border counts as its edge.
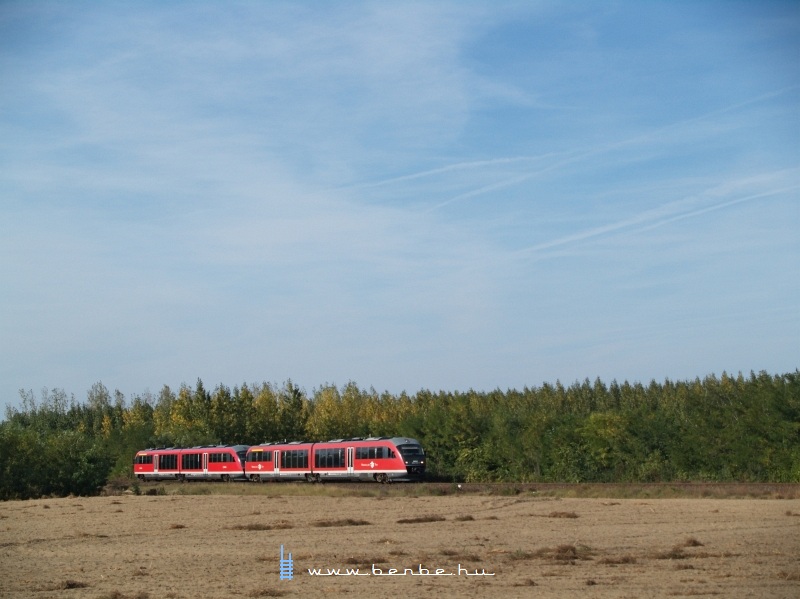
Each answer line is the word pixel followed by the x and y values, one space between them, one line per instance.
pixel 228 546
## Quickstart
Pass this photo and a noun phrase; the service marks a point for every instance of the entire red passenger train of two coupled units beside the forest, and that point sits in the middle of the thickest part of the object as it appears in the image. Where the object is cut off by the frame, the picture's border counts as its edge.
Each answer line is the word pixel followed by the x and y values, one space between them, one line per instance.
pixel 382 459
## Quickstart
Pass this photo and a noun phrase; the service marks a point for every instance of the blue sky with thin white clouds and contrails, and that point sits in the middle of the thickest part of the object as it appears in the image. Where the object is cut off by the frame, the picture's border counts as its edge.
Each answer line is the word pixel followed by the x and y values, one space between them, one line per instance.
pixel 416 195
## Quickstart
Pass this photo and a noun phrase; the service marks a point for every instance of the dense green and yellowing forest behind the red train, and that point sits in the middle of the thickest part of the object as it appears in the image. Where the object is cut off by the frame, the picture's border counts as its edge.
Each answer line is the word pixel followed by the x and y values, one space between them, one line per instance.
pixel 726 428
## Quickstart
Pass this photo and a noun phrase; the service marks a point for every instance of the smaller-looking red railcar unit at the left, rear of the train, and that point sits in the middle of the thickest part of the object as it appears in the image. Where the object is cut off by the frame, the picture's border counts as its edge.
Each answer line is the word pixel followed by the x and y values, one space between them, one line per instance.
pixel 210 462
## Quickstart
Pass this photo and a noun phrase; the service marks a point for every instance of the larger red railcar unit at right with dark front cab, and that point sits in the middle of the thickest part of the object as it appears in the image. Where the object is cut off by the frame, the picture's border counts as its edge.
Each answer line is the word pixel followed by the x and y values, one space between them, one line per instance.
pixel 382 459
